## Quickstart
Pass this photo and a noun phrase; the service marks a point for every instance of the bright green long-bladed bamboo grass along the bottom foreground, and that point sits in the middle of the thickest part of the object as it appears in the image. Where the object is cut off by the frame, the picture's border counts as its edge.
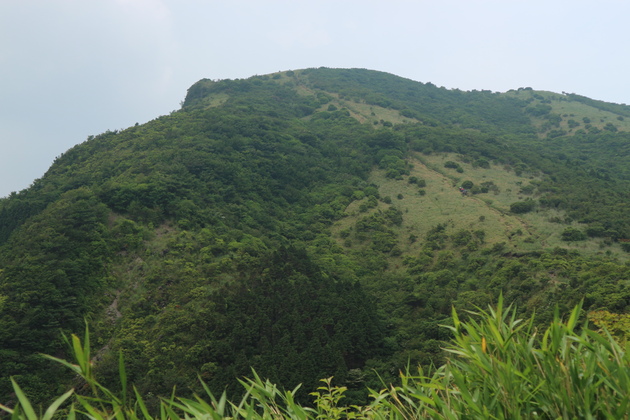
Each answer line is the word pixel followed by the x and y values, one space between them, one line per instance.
pixel 499 367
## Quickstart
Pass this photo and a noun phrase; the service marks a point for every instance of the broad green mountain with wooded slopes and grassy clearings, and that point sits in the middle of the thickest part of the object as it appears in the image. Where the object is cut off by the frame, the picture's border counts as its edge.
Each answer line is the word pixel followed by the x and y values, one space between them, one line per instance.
pixel 308 224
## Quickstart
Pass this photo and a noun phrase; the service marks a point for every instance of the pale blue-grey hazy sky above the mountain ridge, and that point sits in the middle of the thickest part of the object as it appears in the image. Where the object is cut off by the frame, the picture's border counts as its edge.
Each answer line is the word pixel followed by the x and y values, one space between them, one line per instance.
pixel 73 68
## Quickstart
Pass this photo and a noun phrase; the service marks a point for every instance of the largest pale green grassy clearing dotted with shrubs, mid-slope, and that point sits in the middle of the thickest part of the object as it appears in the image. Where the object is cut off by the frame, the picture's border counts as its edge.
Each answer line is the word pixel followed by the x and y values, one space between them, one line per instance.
pixel 443 204
